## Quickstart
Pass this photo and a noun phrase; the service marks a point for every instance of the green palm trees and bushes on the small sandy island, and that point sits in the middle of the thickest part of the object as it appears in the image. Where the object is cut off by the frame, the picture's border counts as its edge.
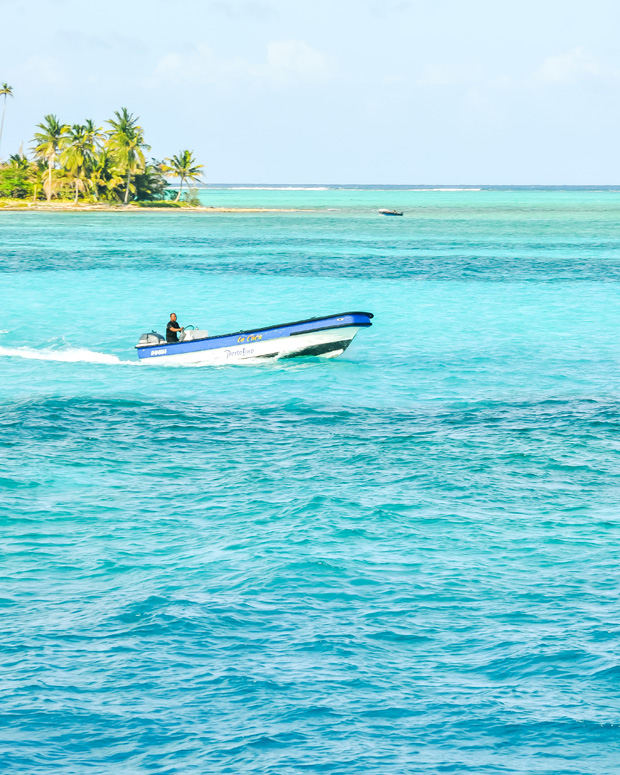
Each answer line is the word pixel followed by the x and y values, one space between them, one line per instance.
pixel 85 162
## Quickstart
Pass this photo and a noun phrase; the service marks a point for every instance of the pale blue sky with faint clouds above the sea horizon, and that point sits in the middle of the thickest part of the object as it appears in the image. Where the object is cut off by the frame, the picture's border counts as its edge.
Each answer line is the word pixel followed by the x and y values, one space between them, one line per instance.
pixel 333 91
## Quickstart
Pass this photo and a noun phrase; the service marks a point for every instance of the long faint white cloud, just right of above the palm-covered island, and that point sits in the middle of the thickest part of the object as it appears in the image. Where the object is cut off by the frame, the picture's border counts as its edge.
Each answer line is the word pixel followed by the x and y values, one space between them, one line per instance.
pixel 286 61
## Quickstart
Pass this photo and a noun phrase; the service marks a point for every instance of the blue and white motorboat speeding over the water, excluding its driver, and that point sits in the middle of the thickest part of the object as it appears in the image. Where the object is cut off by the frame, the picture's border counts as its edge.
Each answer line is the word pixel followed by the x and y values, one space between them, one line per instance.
pixel 325 337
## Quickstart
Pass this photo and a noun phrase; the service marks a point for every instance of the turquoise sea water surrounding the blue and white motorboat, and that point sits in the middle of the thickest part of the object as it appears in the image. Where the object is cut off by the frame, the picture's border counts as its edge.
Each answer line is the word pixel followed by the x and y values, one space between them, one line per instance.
pixel 403 560
